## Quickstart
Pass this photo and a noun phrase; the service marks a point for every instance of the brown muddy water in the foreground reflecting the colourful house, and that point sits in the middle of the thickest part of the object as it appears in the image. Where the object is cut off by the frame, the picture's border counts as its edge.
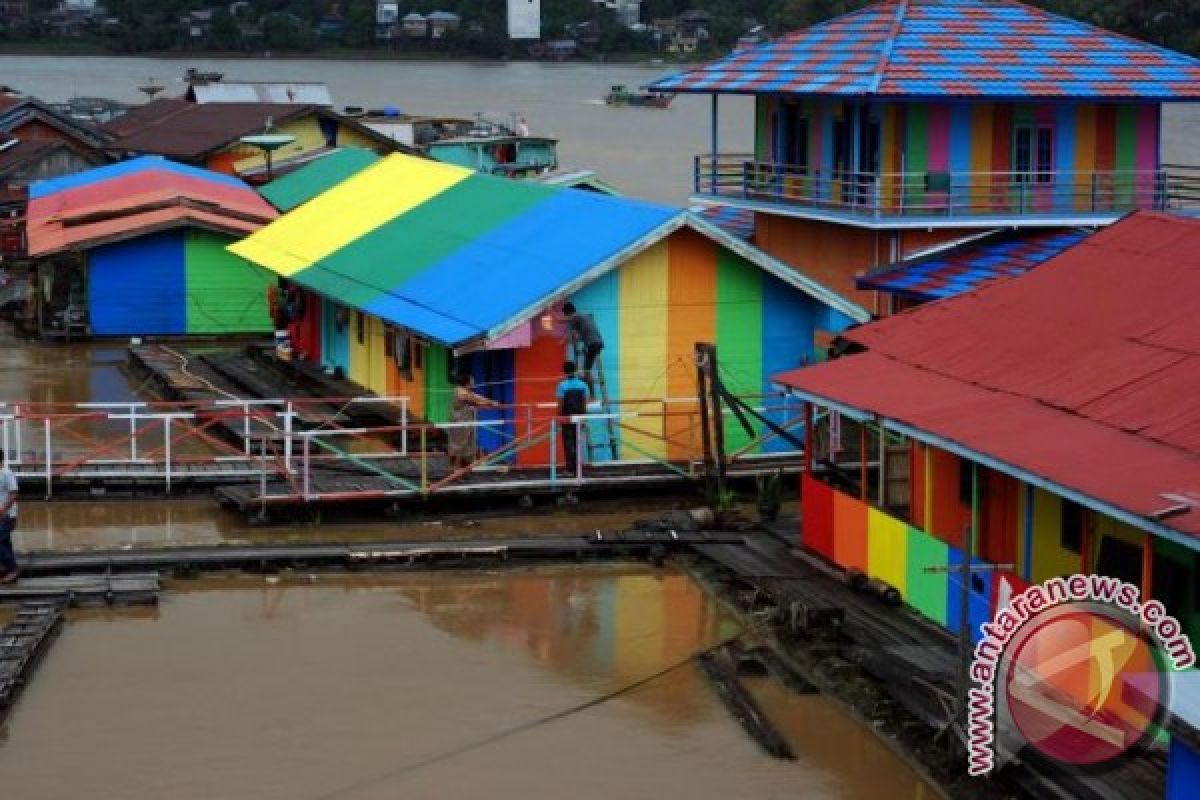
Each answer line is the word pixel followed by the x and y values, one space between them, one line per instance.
pixel 425 687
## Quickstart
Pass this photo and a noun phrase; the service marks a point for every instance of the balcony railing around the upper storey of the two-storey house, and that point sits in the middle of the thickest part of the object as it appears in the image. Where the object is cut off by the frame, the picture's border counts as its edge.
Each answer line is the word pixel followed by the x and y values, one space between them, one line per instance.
pixel 947 195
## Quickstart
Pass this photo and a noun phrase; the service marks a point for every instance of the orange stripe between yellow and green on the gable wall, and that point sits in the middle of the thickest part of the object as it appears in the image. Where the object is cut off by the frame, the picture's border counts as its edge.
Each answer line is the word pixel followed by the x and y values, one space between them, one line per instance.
pixel 692 317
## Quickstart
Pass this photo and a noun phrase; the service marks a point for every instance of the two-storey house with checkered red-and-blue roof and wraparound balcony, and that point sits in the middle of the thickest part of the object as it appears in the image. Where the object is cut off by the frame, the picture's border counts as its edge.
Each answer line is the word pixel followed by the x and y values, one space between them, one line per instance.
pixel 913 124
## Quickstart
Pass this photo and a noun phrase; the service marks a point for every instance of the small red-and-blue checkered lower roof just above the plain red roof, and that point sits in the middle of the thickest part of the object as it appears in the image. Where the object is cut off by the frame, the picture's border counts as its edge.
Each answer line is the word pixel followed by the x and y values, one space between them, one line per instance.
pixel 971 266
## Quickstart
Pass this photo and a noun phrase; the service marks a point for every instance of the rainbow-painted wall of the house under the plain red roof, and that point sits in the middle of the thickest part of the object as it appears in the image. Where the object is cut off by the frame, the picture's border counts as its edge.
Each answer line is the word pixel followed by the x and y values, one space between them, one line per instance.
pixel 1019 525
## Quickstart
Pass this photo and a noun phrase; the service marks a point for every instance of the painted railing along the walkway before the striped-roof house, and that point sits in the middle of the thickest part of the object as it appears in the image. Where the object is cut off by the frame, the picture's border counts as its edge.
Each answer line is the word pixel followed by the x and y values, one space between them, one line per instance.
pixel 290 447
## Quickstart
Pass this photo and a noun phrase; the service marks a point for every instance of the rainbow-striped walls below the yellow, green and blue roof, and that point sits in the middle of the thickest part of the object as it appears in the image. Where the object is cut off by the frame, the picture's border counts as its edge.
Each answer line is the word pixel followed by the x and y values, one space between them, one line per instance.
pixel 651 311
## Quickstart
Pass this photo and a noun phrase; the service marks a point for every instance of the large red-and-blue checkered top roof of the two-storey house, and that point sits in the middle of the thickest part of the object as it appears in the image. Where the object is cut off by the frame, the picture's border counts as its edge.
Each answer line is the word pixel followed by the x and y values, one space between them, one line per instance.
pixel 951 49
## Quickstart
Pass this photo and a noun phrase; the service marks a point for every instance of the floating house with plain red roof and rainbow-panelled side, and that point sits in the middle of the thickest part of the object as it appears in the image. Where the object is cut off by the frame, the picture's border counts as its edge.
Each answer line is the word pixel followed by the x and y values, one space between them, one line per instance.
pixel 1046 437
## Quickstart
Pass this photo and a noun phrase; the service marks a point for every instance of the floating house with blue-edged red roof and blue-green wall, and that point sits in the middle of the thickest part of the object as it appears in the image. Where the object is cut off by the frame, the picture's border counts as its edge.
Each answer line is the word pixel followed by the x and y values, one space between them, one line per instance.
pixel 139 249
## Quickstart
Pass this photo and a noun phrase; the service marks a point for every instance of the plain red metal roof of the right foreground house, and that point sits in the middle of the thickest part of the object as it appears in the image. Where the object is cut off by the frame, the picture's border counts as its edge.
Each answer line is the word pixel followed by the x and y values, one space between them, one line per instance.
pixel 1084 372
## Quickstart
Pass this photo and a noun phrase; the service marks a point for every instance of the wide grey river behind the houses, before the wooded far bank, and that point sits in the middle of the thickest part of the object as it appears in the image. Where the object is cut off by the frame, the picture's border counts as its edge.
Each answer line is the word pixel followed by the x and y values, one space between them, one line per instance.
pixel 644 153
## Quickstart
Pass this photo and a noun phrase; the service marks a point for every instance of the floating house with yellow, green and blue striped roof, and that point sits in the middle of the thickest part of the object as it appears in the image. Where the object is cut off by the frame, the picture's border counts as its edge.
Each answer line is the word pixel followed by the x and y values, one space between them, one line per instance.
pixel 418 270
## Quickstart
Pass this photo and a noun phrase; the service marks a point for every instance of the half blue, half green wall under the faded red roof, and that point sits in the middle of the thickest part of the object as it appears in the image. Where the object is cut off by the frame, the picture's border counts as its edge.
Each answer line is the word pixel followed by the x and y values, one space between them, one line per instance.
pixel 176 282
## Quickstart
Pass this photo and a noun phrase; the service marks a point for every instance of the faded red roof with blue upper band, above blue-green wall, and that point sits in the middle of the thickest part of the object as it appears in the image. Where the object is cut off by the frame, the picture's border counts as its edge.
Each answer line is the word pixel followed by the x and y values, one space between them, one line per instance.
pixel 136 199
